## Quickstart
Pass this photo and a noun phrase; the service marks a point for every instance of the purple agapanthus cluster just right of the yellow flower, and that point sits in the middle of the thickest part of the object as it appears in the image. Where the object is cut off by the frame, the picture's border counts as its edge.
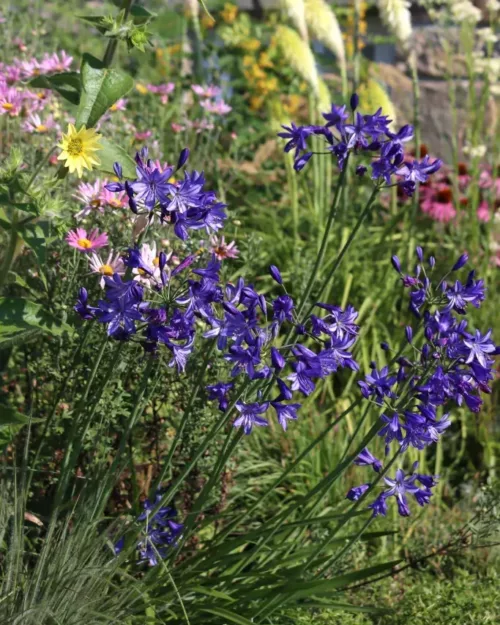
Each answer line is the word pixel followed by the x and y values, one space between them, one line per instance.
pixel 185 204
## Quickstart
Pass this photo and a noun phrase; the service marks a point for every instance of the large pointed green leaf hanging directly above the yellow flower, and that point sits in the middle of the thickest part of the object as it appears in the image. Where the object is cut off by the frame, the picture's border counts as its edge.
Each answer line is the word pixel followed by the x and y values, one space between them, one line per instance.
pixel 101 88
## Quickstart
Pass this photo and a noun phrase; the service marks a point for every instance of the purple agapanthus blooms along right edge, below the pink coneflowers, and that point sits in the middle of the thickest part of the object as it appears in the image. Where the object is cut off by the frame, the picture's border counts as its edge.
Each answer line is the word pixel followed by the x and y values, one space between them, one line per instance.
pixel 450 365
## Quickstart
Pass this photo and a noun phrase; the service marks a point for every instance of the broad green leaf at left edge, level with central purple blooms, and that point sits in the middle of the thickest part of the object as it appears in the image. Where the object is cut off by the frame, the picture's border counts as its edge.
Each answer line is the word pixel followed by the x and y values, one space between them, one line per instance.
pixel 17 314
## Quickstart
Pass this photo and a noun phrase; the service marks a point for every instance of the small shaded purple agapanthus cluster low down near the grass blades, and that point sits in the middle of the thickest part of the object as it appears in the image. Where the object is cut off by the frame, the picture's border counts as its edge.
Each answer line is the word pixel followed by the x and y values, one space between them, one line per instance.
pixel 161 532
